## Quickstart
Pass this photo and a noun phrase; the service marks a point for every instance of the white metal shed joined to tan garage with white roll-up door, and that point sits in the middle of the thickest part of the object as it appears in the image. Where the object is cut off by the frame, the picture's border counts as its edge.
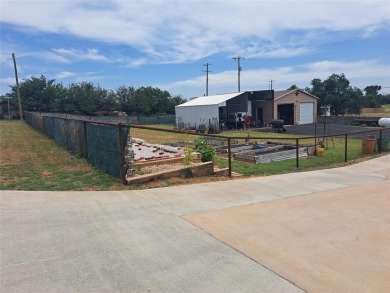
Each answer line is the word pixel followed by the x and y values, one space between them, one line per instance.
pixel 227 110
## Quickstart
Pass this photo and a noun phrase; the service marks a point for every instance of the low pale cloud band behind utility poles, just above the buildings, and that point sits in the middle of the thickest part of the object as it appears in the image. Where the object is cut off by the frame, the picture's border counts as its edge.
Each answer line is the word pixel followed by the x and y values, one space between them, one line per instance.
pixel 360 74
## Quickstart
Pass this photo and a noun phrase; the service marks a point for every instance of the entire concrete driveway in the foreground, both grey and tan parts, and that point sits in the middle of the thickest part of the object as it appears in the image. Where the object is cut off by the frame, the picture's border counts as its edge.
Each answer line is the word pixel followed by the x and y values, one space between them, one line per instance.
pixel 319 231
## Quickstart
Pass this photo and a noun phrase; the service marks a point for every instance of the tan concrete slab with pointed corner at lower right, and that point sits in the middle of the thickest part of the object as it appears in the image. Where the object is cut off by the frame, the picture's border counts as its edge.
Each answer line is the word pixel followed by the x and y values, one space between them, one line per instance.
pixel 324 242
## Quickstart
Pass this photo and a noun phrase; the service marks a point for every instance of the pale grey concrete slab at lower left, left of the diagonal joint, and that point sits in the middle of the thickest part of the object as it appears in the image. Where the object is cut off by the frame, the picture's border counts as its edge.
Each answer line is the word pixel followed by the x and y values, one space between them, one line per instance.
pixel 92 242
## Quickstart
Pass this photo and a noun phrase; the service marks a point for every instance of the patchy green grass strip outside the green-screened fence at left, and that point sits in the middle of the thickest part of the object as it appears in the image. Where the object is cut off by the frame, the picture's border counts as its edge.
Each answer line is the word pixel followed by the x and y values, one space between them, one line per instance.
pixel 31 161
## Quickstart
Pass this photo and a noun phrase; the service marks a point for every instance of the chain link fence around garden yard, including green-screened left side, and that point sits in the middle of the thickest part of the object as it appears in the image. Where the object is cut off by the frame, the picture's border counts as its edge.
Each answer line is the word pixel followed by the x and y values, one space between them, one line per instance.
pixel 107 145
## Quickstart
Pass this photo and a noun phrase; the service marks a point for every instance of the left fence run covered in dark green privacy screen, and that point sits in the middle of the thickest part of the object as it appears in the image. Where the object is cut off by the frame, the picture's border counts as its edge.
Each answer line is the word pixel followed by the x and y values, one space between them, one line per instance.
pixel 101 143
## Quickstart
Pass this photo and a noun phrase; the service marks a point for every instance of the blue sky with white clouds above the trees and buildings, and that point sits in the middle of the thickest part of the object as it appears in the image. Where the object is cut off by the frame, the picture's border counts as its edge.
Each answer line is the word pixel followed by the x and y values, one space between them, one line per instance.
pixel 165 43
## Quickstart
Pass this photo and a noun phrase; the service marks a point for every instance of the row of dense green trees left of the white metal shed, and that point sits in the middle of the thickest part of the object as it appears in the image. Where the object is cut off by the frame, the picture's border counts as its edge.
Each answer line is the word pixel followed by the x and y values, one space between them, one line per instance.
pixel 86 98
